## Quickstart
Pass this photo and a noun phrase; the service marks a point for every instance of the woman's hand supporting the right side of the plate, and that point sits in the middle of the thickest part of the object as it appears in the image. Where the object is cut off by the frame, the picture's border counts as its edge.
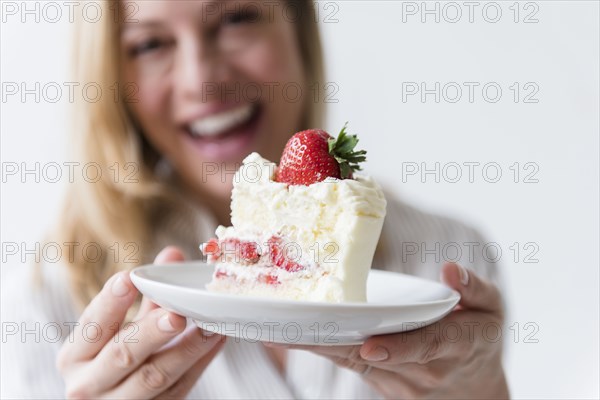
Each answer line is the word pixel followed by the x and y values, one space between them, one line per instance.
pixel 457 357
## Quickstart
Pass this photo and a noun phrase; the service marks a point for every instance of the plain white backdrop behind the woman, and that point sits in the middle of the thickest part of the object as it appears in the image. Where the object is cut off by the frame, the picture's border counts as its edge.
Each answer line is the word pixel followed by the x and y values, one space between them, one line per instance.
pixel 371 50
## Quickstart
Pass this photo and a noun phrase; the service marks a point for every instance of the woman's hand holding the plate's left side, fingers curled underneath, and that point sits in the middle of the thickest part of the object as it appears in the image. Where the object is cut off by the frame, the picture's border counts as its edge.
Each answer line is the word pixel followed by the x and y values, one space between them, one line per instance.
pixel 104 359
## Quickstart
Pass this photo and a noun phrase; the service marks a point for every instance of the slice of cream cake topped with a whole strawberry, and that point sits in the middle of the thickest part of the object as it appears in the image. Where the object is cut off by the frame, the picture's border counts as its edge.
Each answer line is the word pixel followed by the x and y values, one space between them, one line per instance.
pixel 305 230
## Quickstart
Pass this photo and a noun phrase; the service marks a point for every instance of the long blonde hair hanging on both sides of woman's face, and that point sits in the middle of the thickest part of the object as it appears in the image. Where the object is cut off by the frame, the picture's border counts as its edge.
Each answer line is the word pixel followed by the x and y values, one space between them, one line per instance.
pixel 109 211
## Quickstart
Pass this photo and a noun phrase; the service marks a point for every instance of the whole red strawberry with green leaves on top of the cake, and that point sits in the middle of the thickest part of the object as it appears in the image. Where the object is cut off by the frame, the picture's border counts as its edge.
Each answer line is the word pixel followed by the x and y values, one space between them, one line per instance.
pixel 313 155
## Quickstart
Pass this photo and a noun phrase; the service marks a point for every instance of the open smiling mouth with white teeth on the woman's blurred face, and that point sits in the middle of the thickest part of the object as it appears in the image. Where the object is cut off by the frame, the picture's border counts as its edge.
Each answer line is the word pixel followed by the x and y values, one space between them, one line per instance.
pixel 223 124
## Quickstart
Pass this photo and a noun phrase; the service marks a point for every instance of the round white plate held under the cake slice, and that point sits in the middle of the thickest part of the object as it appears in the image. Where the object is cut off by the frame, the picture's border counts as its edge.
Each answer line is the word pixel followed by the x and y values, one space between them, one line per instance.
pixel 396 303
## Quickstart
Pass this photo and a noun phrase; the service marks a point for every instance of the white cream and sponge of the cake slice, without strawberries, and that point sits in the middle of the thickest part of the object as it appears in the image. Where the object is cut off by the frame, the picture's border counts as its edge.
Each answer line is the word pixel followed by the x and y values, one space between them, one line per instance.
pixel 332 227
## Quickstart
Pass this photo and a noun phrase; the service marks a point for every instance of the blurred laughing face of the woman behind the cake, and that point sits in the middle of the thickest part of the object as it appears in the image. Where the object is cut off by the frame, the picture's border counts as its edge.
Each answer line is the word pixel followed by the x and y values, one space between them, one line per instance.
pixel 209 80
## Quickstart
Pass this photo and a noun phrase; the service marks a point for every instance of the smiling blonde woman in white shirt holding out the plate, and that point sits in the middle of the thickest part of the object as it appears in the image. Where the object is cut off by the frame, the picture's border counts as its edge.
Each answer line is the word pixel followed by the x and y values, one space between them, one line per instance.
pixel 201 84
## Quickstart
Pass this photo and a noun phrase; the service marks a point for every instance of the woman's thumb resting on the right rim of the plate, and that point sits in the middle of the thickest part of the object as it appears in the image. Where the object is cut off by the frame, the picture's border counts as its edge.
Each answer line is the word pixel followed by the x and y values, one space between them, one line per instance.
pixel 475 292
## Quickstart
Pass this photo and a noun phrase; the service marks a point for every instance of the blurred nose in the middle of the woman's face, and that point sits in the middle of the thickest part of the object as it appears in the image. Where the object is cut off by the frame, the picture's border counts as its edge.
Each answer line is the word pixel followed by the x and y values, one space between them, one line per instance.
pixel 201 74
